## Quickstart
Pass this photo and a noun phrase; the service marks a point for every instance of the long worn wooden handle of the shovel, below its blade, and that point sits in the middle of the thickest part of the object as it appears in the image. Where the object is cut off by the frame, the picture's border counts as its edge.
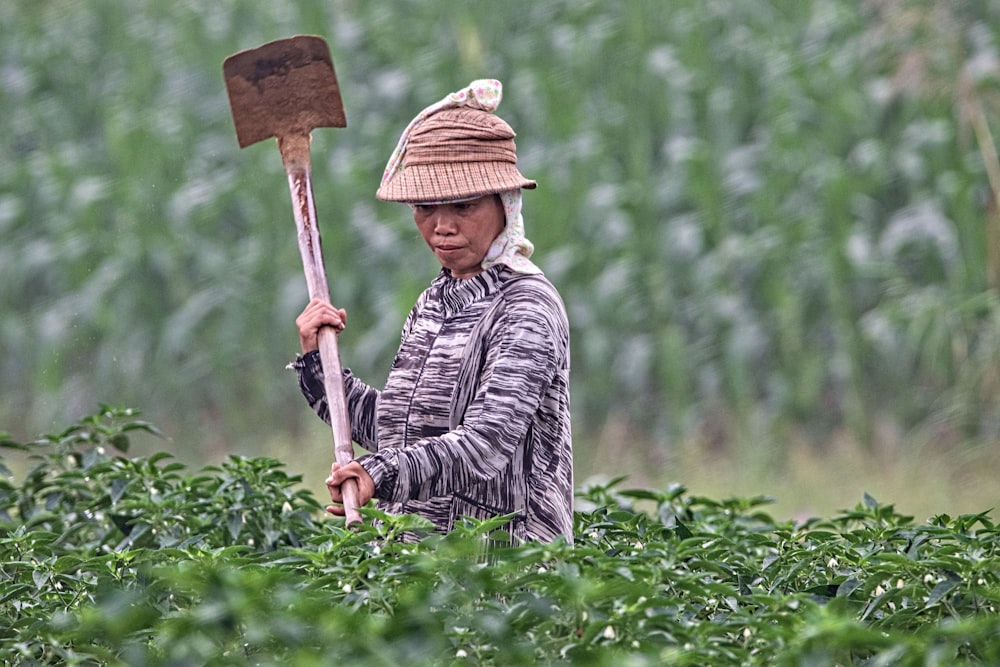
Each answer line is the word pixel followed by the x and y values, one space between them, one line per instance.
pixel 295 156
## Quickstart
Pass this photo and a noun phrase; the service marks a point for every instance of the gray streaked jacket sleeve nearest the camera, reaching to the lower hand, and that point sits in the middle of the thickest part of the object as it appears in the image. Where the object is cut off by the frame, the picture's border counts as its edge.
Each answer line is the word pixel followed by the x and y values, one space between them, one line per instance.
pixel 523 347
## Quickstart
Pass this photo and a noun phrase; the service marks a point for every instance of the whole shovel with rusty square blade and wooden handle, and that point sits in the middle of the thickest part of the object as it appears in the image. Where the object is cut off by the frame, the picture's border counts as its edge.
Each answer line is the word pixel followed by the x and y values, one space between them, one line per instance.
pixel 284 89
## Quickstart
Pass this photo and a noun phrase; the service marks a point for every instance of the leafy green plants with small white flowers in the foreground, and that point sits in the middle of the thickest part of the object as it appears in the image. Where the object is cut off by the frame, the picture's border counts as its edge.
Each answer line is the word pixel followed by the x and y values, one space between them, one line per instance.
pixel 112 560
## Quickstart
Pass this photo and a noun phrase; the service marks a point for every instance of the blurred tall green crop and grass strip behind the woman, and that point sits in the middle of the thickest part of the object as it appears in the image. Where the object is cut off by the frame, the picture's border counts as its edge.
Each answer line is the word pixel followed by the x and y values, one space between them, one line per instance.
pixel 774 223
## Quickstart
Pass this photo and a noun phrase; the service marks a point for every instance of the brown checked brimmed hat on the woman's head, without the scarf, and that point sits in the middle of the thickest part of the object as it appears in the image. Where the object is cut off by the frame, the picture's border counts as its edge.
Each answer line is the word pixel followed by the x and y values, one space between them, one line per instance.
pixel 459 153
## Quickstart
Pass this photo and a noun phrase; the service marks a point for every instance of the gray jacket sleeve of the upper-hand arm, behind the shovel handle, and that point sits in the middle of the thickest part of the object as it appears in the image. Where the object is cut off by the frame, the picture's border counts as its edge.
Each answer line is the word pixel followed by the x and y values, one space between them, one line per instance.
pixel 362 400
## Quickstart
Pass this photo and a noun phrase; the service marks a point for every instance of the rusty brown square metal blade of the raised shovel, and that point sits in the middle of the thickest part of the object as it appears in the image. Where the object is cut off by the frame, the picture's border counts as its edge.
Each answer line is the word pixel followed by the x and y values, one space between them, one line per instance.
pixel 283 88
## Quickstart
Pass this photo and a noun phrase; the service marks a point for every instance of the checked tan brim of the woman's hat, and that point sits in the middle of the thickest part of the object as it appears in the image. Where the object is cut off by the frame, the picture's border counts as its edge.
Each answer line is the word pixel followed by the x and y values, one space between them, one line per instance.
pixel 445 181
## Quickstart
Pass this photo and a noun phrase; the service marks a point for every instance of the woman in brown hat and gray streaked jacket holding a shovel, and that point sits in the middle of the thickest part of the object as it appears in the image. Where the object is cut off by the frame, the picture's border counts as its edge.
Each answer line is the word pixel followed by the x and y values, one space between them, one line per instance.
pixel 474 417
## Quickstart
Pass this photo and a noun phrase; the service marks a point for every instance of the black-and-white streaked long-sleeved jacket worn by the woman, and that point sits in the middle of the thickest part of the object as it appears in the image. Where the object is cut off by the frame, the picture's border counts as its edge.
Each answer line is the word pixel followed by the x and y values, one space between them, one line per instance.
pixel 474 418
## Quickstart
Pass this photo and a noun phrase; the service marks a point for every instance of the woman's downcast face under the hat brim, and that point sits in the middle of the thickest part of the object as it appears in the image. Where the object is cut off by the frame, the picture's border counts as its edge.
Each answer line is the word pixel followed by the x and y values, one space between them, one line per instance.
pixel 460 233
